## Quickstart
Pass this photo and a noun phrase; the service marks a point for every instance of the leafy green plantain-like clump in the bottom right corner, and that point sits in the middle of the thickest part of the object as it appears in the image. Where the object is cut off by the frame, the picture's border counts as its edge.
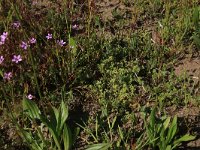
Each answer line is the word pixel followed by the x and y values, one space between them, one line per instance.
pixel 162 133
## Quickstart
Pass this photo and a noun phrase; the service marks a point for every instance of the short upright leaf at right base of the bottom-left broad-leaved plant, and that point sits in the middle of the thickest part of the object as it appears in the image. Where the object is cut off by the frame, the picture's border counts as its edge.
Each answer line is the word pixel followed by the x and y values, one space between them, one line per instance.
pixel 67 138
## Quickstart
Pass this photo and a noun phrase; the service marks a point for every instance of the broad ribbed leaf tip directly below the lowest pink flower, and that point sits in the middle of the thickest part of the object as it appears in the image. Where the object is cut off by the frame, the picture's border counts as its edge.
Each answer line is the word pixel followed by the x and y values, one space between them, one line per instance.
pixel 31 109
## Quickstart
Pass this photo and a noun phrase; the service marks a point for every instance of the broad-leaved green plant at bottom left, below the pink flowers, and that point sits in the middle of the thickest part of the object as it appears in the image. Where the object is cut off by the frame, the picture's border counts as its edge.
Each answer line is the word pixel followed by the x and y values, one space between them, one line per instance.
pixel 61 136
